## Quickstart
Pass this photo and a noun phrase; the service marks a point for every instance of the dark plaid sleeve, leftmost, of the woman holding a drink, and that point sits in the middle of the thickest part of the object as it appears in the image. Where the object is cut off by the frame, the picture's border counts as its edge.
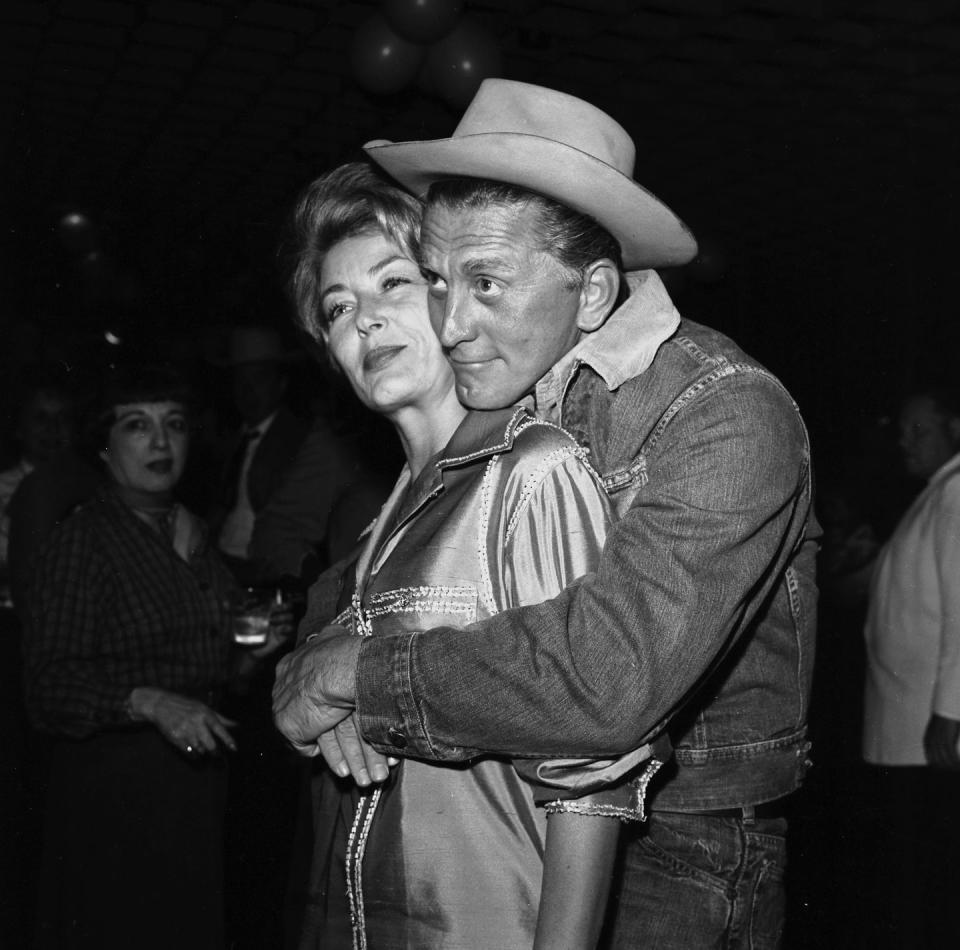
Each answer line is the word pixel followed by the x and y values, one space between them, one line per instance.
pixel 68 692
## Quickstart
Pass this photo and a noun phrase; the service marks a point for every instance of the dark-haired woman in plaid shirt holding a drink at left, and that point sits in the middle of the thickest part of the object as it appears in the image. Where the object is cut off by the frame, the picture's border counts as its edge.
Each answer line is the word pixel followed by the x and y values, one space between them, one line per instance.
pixel 127 651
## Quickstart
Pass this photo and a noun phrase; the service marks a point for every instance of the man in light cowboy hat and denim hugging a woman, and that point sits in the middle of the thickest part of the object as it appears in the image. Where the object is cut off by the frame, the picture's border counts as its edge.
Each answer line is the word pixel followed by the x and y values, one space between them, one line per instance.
pixel 699 618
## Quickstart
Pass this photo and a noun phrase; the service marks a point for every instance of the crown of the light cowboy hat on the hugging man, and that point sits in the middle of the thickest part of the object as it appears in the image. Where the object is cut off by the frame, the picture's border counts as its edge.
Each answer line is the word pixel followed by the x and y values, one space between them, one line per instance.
pixel 503 106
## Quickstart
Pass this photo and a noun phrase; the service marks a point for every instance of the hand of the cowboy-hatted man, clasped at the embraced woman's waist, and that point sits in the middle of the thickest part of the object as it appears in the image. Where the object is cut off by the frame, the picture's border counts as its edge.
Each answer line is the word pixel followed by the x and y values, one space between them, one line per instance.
pixel 315 688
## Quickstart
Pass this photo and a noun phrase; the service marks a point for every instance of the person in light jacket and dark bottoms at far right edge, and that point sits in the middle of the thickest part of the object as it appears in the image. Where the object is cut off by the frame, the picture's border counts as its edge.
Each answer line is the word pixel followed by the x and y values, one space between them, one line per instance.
pixel 912 695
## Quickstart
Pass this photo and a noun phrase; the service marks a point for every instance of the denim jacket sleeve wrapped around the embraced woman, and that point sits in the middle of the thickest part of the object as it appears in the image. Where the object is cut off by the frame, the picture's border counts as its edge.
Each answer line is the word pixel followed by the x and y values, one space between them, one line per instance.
pixel 601 668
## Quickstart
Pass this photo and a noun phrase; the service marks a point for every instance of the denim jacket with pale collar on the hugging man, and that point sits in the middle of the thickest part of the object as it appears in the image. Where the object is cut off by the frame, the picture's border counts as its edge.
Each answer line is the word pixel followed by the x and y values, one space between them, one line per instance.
pixel 700 617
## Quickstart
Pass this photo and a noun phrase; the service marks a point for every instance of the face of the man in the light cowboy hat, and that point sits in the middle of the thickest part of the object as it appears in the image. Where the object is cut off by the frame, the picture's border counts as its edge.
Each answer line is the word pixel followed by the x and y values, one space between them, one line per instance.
pixel 500 305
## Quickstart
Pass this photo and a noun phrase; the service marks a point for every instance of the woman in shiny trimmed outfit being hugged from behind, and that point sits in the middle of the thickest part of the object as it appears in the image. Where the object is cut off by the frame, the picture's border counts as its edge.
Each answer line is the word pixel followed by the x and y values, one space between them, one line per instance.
pixel 491 510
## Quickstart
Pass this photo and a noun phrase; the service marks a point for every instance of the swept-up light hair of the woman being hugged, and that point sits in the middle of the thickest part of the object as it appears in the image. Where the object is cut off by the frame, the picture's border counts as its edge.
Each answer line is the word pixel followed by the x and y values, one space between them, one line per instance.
pixel 352 200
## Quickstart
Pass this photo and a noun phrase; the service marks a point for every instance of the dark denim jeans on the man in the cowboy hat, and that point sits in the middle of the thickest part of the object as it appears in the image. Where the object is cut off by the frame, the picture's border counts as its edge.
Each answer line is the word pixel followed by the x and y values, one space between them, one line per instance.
pixel 697 881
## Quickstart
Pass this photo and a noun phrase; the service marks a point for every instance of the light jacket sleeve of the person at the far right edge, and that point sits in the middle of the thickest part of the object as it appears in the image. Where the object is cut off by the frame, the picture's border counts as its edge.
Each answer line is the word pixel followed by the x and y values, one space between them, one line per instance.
pixel 946 537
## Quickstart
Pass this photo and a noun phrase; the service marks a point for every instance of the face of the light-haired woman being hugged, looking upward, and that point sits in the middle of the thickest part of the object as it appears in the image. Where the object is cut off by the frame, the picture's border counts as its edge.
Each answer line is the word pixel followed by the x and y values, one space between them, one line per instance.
pixel 373 303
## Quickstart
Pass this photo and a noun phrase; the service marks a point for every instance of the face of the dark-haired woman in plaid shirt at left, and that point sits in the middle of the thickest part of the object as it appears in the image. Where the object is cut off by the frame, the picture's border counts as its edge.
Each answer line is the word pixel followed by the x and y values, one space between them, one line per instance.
pixel 147 446
